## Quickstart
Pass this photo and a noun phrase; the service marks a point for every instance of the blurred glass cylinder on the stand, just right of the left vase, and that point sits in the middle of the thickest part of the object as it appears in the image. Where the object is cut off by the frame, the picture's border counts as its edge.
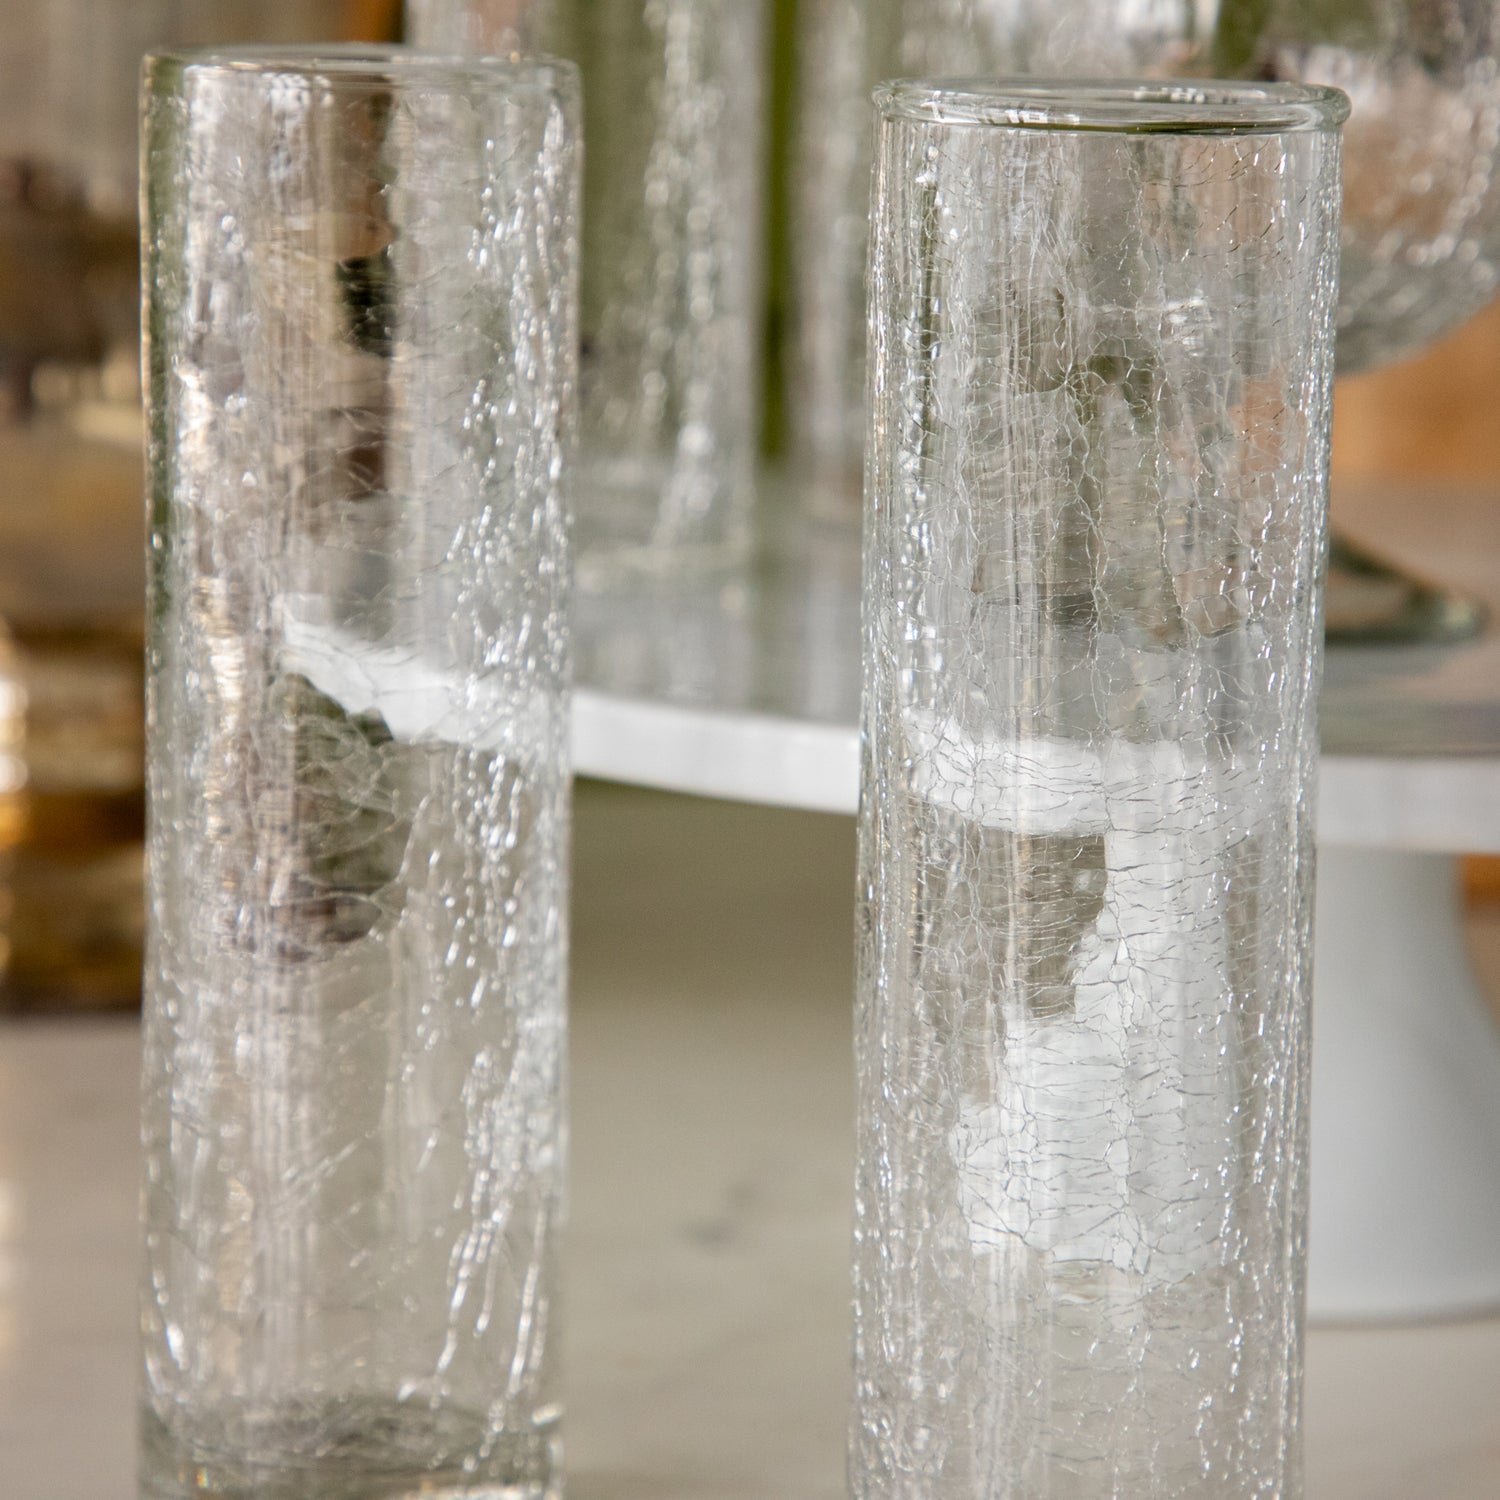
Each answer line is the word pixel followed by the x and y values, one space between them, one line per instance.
pixel 673 263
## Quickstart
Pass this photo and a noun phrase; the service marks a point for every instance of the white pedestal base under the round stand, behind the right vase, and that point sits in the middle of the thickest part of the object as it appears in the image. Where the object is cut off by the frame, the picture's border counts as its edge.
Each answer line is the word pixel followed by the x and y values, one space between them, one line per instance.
pixel 1406 1097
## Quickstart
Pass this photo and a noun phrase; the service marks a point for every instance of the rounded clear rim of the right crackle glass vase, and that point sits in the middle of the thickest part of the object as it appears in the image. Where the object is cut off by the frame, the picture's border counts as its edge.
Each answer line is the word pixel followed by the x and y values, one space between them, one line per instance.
pixel 1121 106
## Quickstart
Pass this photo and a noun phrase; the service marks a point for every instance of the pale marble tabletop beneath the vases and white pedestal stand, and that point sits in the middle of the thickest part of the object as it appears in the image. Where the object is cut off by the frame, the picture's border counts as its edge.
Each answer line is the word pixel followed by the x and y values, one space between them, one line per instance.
pixel 707 1280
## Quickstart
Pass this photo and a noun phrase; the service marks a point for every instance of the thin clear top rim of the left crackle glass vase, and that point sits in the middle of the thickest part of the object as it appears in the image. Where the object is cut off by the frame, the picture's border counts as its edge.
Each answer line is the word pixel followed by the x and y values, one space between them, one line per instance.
pixel 359 65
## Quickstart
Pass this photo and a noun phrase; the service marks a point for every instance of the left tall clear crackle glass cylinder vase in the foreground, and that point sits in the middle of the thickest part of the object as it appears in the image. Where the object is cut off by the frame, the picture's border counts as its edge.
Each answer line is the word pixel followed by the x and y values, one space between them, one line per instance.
pixel 361 281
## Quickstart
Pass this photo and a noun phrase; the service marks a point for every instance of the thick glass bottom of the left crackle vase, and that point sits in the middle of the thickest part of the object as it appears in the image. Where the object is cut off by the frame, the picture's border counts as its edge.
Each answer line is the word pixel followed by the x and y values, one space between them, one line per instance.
pixel 350 1451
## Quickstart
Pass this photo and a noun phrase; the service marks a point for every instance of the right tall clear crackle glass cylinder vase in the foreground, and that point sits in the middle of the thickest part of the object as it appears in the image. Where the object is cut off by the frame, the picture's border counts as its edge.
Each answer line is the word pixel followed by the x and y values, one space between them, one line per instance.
pixel 1096 527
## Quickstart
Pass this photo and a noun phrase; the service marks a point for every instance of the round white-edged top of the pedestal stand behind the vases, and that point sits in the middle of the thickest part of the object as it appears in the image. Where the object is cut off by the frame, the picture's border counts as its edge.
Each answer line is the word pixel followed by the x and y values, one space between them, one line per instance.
pixel 748 686
